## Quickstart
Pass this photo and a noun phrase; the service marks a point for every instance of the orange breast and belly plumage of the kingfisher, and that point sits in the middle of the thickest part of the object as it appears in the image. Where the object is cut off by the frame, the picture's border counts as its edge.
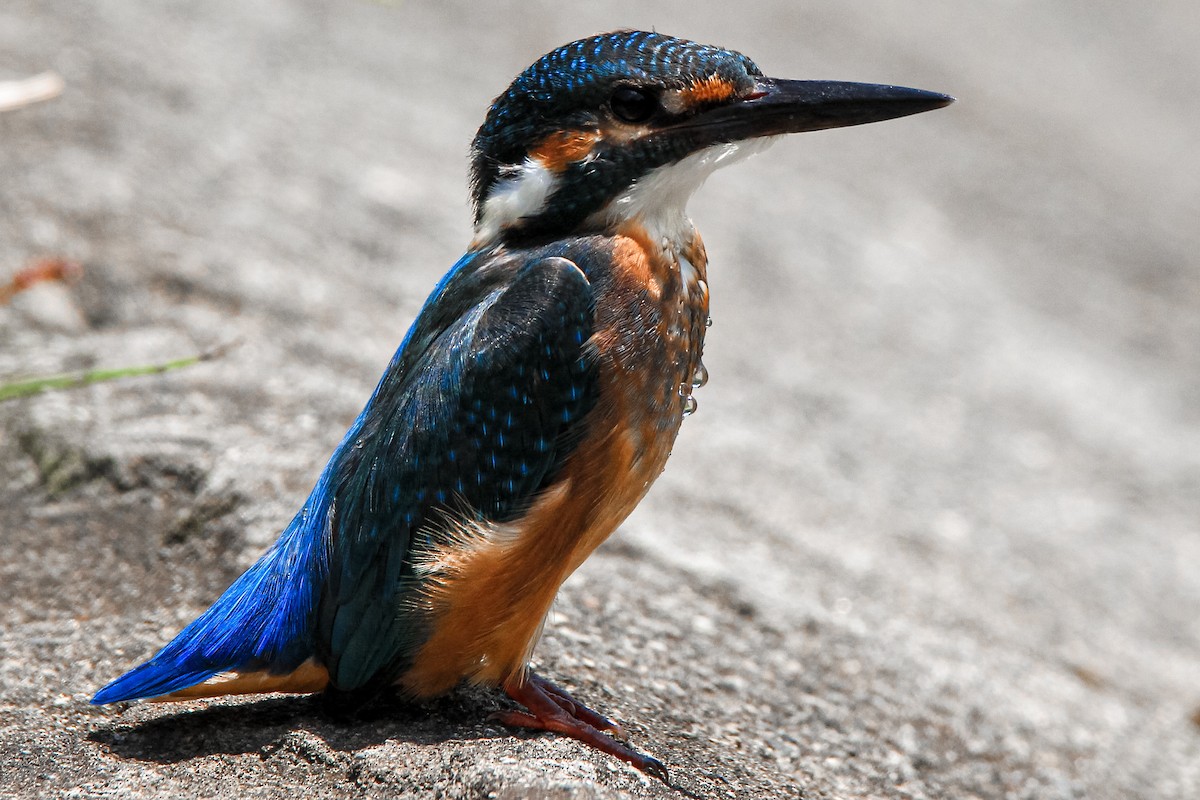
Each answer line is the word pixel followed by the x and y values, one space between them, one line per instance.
pixel 490 593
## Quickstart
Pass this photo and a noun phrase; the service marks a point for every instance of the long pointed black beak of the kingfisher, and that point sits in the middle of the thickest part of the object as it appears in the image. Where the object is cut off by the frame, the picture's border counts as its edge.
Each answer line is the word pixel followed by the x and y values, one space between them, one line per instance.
pixel 777 107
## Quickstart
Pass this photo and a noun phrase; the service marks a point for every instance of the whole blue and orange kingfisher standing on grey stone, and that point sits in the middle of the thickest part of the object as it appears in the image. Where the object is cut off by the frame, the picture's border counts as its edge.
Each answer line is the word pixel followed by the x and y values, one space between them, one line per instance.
pixel 532 404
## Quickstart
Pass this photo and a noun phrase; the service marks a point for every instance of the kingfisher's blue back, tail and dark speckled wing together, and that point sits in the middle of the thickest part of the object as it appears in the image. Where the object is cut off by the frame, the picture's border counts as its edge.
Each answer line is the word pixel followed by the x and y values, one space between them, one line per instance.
pixel 476 412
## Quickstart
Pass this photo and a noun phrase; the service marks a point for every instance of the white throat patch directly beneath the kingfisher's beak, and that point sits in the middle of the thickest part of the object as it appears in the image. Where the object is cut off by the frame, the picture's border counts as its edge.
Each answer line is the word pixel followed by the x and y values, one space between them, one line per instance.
pixel 659 200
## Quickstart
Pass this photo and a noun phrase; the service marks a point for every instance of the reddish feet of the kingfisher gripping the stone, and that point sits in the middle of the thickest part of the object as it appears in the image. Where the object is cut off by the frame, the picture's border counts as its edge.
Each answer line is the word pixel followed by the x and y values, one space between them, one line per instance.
pixel 554 709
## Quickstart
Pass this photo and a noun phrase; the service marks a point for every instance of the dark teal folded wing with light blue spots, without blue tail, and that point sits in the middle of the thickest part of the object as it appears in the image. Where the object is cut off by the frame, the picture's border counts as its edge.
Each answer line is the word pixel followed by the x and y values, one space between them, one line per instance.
pixel 475 419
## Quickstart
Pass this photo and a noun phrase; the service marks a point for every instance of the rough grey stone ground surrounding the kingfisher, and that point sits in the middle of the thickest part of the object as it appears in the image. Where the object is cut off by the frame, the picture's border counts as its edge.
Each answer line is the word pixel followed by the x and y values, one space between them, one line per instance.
pixel 933 534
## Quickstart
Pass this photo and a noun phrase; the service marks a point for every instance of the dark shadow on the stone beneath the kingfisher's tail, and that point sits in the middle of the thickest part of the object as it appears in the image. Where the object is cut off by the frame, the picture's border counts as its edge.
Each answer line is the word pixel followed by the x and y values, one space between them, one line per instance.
pixel 260 726
